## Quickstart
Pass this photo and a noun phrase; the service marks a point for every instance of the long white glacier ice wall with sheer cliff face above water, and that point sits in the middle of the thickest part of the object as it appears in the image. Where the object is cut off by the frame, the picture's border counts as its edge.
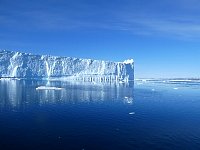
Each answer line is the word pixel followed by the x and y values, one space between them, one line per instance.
pixel 23 65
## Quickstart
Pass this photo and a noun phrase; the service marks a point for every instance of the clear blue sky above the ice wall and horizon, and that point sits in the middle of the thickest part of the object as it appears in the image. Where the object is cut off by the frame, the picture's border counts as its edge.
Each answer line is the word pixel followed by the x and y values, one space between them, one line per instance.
pixel 162 36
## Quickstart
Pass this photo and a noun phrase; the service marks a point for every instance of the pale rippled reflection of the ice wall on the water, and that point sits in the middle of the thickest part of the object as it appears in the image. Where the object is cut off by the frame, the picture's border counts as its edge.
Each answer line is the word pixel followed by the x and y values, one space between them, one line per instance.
pixel 21 93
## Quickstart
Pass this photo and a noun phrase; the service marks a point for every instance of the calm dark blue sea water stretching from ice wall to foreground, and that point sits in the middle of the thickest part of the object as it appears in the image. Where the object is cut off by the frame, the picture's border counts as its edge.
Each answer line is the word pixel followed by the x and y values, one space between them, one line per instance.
pixel 153 115
